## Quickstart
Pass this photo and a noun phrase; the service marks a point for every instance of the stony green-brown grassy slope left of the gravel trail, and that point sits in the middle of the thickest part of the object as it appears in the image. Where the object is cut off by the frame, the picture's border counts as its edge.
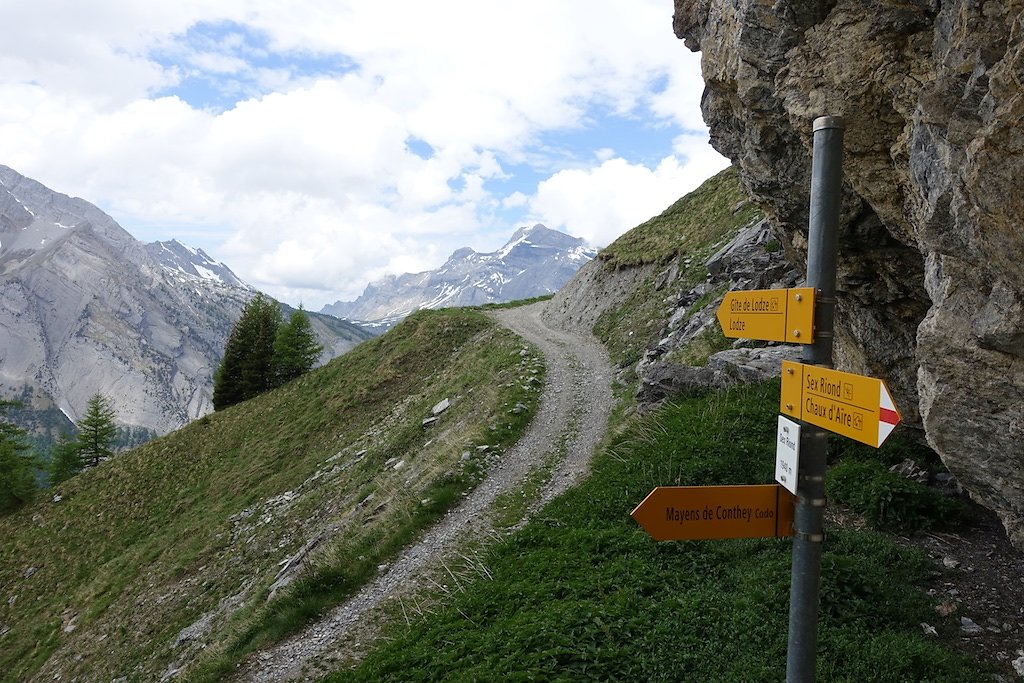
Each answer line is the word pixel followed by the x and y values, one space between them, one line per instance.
pixel 145 545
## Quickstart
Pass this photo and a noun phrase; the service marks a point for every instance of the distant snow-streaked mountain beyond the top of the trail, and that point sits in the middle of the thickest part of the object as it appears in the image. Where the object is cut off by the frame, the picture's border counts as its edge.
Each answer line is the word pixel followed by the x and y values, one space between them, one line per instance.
pixel 535 262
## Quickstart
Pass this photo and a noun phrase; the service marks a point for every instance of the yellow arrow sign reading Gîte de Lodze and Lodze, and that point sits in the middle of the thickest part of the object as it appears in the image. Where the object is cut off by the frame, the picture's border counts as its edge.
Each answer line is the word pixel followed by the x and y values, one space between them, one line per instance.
pixel 786 316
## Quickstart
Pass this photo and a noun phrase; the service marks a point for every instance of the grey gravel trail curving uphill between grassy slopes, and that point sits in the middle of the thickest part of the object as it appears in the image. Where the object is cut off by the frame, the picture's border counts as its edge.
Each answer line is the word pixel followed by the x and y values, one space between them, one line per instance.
pixel 575 407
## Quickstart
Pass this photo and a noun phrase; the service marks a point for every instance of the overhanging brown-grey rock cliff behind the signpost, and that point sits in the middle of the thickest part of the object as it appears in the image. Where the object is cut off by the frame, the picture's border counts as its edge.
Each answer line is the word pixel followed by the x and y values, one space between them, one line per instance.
pixel 931 286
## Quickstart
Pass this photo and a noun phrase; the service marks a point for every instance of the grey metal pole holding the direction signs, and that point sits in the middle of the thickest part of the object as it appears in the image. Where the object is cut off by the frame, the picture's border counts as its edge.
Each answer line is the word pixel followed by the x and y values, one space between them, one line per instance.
pixel 827 176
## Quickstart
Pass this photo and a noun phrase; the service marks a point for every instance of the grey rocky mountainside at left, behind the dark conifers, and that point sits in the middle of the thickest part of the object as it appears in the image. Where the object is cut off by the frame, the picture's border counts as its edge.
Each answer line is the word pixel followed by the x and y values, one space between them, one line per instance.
pixel 88 309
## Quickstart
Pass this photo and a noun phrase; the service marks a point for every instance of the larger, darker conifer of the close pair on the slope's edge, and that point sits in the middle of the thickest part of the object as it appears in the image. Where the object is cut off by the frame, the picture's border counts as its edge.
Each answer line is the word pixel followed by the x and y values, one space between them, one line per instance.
pixel 247 369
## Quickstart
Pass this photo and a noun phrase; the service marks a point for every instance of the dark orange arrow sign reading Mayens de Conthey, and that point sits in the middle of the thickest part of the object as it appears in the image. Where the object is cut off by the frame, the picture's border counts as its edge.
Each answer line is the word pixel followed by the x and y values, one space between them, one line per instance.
pixel 697 514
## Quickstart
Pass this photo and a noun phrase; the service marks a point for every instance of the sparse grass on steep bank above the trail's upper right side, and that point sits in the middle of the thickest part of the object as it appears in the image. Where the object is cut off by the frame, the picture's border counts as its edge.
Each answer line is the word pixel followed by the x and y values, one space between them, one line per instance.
pixel 688 233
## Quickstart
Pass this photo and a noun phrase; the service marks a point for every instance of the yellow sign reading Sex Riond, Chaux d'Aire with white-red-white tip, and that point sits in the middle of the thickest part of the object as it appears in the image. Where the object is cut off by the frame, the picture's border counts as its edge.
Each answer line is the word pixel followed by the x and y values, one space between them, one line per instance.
pixel 854 406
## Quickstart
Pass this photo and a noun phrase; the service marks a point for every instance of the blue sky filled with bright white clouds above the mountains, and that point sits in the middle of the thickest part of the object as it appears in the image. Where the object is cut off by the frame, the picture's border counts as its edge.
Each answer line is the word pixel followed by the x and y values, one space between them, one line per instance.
pixel 317 148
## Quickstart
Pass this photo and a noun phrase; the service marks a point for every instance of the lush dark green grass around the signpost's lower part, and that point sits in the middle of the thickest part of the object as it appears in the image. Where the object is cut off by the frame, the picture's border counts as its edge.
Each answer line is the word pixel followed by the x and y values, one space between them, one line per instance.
pixel 583 594
